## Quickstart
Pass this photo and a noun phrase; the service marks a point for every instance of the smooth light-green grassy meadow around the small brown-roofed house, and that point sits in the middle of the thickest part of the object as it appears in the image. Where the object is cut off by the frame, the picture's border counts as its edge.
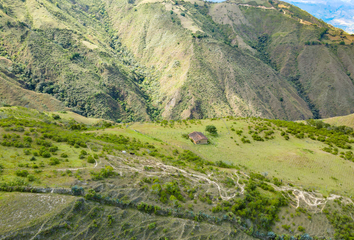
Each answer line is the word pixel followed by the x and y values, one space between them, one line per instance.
pixel 297 161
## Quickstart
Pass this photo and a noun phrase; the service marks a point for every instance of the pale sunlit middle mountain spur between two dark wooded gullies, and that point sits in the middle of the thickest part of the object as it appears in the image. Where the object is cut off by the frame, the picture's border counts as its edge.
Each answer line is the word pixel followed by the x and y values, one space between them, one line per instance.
pixel 215 79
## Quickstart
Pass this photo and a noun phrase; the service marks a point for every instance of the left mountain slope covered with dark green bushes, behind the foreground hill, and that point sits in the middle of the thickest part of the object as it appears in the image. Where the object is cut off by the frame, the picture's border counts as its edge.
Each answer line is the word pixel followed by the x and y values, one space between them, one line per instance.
pixel 78 70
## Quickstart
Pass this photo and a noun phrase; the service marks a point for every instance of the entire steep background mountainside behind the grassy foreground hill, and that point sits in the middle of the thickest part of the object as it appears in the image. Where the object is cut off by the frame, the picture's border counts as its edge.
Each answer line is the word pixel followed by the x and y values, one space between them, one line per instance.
pixel 151 59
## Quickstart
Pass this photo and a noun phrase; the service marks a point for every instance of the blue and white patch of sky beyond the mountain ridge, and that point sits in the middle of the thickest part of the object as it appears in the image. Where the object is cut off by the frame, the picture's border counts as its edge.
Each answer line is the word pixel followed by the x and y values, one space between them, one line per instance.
pixel 339 13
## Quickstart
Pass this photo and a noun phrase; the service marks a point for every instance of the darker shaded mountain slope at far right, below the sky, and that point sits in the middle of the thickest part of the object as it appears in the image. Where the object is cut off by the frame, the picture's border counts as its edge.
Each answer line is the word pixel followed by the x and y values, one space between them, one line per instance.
pixel 320 77
